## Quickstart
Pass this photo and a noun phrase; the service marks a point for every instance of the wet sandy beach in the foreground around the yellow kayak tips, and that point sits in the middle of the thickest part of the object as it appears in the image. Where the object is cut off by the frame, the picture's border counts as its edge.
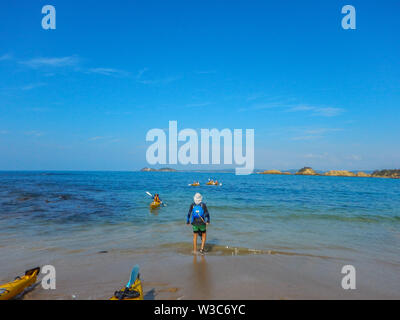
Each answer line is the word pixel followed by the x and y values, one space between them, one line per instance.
pixel 185 276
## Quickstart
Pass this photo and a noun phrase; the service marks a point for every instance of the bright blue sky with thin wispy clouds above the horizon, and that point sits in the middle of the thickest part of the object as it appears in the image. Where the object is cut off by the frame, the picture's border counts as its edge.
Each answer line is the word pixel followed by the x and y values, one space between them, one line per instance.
pixel 83 96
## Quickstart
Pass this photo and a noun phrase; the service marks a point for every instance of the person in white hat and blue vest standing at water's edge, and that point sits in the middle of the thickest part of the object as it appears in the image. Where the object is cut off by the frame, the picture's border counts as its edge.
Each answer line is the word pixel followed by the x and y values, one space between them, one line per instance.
pixel 199 217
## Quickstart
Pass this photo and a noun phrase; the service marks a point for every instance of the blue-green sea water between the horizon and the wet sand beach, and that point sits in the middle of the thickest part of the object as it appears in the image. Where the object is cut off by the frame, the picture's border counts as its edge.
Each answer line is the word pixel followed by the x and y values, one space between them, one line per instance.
pixel 79 213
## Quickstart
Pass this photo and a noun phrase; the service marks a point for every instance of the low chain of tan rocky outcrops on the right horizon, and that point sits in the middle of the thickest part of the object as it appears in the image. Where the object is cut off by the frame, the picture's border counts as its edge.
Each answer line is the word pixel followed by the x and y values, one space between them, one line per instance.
pixel 308 171
